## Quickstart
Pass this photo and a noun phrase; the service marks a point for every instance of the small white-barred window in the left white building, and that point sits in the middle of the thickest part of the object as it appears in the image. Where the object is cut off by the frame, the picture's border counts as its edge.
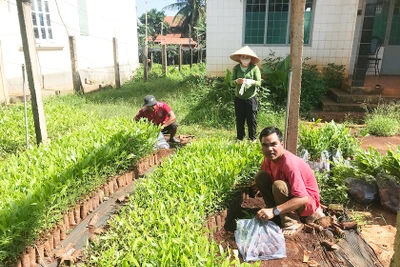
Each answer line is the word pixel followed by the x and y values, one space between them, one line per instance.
pixel 41 19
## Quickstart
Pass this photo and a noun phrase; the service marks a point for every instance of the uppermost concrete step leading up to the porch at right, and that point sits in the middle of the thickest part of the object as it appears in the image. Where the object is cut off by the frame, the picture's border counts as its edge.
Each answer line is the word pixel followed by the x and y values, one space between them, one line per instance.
pixel 341 96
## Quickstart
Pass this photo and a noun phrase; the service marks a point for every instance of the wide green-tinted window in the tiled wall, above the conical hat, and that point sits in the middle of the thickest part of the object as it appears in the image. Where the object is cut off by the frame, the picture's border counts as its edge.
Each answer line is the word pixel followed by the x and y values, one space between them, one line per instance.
pixel 268 21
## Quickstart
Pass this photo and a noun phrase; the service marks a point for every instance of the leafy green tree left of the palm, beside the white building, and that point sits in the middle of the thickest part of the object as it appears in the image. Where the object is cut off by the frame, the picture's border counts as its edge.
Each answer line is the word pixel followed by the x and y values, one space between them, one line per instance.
pixel 155 25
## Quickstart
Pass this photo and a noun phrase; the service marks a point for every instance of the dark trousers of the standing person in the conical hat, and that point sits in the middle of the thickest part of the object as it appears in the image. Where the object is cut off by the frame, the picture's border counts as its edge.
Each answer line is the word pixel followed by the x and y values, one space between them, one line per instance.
pixel 246 111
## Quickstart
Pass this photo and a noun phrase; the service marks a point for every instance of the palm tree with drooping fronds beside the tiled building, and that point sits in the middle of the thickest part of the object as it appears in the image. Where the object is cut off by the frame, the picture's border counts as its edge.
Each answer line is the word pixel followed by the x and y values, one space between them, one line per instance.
pixel 190 13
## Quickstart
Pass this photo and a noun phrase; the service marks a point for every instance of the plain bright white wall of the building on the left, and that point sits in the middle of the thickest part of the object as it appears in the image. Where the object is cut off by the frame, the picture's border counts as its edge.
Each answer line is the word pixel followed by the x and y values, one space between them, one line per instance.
pixel 106 20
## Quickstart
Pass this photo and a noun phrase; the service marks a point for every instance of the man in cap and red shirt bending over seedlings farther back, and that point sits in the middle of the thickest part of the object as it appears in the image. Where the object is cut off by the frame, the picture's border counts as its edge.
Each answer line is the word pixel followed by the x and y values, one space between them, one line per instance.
pixel 159 113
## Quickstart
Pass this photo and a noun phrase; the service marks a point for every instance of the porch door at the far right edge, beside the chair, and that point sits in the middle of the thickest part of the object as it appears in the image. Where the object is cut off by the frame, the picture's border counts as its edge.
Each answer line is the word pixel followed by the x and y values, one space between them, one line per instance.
pixel 391 54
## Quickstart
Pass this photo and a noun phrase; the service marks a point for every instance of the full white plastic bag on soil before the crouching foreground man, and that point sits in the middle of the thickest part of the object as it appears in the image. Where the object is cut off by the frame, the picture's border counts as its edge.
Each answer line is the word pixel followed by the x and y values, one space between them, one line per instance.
pixel 259 240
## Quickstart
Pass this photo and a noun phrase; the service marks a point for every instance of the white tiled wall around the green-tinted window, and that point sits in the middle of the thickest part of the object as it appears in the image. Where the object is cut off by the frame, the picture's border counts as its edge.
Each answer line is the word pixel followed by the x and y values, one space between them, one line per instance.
pixel 331 38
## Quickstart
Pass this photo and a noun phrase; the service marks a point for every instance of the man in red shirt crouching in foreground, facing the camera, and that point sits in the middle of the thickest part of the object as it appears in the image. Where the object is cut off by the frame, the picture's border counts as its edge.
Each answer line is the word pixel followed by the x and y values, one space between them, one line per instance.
pixel 287 184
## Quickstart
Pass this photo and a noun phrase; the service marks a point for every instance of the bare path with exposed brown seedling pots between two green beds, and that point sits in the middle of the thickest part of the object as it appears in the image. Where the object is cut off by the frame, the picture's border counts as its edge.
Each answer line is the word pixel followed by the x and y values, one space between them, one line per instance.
pixel 65 242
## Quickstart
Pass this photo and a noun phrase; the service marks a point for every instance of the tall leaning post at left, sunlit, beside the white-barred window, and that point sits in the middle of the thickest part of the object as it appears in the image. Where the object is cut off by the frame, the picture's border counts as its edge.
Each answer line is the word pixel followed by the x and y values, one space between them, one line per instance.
pixel 29 48
